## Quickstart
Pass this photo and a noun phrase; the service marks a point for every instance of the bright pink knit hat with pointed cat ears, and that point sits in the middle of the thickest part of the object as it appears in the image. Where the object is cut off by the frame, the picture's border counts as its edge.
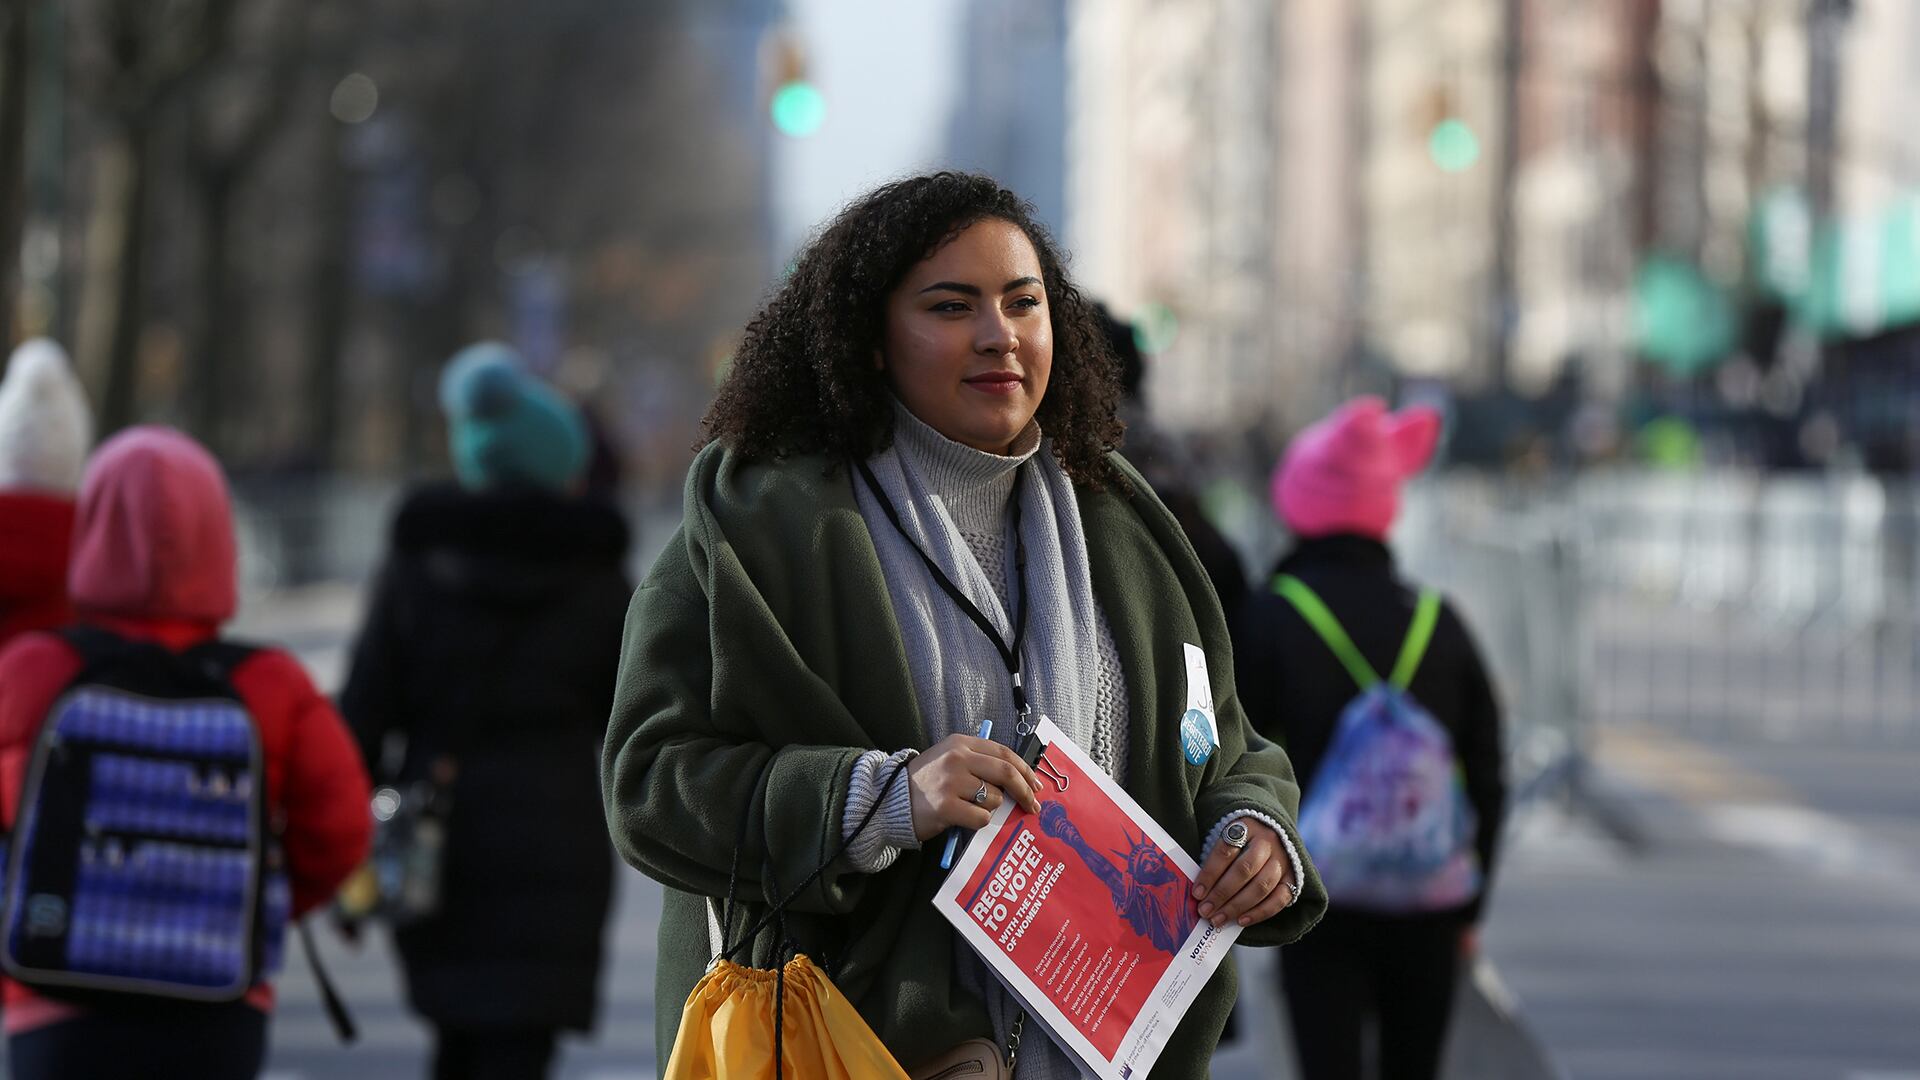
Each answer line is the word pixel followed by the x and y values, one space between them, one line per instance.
pixel 1345 472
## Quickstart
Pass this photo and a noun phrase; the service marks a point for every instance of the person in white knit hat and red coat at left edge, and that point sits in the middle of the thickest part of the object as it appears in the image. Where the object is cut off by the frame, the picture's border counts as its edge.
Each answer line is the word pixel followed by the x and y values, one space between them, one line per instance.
pixel 45 433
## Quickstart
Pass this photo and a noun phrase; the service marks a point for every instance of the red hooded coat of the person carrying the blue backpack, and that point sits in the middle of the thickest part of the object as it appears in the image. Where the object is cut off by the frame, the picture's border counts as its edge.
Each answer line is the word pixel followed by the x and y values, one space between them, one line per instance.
pixel 155 558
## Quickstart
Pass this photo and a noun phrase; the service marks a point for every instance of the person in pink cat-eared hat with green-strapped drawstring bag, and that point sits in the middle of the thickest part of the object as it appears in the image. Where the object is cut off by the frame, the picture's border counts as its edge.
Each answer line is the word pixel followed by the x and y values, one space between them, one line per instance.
pixel 1393 962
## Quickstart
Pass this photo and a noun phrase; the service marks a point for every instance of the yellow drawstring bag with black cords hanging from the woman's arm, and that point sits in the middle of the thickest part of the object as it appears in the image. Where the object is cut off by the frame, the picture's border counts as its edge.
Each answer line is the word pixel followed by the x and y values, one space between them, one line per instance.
pixel 744 1023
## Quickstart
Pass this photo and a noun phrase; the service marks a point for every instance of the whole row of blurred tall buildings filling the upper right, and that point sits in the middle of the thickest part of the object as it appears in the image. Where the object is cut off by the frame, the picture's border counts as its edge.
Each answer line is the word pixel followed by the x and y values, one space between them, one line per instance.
pixel 1652 203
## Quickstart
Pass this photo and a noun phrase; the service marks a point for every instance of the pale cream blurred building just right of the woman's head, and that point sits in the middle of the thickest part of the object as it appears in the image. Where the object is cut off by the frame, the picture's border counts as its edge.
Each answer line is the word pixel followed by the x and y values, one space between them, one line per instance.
pixel 1174 193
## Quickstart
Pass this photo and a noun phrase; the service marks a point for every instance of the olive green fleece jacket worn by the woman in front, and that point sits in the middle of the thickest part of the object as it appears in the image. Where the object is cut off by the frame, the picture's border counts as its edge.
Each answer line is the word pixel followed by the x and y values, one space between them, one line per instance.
pixel 763 641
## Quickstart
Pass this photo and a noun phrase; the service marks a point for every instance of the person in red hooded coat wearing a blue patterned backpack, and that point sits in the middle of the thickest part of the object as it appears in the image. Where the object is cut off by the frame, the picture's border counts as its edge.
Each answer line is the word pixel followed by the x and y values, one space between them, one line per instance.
pixel 153 581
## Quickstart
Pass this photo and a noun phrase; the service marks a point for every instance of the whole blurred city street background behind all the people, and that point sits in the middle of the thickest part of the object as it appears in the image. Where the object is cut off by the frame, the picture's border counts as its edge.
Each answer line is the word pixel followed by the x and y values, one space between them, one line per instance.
pixel 1658 262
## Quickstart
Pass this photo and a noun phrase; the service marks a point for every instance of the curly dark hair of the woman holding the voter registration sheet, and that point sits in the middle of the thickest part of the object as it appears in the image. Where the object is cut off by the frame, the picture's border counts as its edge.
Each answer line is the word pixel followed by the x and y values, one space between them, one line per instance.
pixel 804 380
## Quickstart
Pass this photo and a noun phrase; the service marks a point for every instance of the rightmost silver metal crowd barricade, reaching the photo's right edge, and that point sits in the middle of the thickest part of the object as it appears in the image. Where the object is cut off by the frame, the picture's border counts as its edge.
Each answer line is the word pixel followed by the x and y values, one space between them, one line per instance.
pixel 1754 608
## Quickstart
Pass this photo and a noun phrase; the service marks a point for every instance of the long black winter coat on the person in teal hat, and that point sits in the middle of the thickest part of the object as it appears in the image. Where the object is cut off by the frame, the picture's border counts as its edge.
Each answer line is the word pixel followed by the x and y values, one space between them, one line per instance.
pixel 494 639
